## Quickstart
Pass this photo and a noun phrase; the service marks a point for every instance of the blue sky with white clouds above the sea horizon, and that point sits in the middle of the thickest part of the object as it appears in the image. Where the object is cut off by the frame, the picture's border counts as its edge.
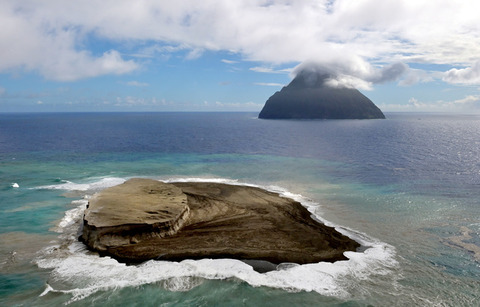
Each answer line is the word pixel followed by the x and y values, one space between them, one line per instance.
pixel 189 55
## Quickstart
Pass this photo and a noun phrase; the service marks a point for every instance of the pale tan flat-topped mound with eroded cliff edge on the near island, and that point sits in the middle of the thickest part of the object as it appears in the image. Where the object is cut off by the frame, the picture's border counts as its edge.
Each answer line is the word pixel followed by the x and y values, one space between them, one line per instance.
pixel 135 211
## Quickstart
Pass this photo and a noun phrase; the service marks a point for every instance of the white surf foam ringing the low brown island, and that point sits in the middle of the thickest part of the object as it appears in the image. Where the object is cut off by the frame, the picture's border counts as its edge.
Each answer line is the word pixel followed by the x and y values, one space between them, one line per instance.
pixel 86 273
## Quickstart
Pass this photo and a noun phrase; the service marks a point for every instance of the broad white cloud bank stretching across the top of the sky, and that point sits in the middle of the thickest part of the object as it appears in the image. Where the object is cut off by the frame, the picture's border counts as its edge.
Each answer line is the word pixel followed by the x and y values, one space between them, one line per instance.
pixel 49 36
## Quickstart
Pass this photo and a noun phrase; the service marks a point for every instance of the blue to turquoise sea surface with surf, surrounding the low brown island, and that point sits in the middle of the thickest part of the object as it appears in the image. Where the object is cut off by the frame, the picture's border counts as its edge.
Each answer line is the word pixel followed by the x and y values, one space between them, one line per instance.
pixel 407 188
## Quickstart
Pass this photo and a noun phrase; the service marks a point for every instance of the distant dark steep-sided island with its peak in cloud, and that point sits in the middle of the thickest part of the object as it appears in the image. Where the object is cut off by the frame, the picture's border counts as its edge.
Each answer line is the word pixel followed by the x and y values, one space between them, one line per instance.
pixel 309 96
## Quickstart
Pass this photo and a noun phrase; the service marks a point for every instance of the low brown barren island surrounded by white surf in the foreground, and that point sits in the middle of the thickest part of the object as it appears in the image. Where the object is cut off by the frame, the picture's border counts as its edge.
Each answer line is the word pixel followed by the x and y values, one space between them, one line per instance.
pixel 144 219
